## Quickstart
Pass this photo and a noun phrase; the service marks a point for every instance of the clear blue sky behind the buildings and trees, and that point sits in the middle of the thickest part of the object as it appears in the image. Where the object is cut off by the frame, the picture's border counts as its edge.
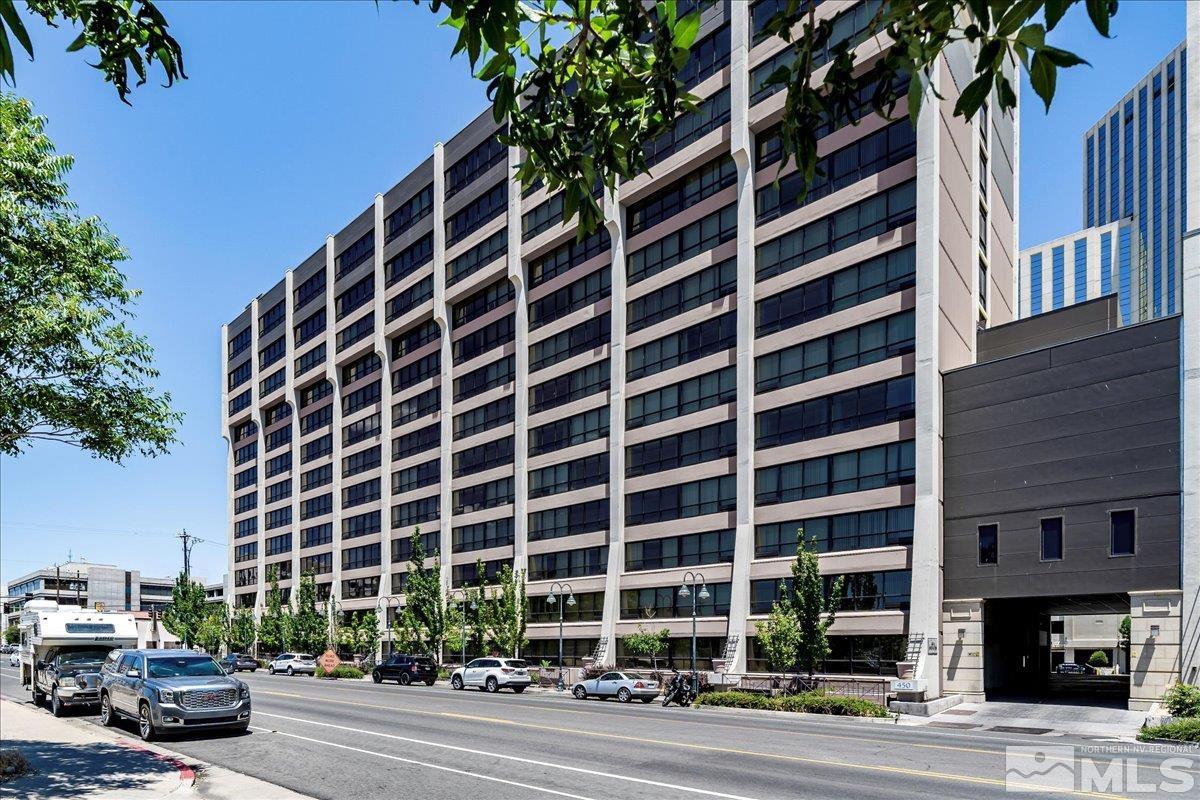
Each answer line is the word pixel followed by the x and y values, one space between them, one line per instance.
pixel 293 118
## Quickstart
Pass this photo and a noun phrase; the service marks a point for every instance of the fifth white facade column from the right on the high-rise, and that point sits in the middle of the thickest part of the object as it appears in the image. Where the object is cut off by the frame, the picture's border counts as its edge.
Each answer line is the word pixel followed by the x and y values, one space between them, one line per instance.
pixel 442 315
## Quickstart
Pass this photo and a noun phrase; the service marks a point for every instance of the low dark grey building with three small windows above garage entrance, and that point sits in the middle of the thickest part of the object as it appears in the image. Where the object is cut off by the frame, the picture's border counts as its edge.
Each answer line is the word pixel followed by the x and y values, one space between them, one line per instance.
pixel 1064 498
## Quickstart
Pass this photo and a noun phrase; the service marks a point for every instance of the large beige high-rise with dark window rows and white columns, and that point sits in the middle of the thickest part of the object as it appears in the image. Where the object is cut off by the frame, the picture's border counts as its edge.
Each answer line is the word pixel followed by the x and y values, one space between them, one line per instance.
pixel 725 362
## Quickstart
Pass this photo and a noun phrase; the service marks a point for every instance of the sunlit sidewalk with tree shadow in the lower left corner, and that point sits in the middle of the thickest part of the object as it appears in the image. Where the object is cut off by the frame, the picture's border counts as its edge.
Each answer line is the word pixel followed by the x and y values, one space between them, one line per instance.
pixel 75 759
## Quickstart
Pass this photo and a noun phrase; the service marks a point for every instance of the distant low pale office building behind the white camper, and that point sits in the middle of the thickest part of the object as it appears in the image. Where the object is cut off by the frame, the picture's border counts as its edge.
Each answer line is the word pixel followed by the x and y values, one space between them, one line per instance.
pixel 83 584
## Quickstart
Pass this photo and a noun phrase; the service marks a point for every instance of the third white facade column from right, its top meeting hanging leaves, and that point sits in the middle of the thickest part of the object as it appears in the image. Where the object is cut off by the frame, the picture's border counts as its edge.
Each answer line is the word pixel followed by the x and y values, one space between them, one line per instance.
pixel 615 221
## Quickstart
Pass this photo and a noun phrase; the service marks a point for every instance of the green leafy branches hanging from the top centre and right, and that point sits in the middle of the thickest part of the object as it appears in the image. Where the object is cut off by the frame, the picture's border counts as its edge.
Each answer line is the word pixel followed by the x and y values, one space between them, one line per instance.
pixel 585 83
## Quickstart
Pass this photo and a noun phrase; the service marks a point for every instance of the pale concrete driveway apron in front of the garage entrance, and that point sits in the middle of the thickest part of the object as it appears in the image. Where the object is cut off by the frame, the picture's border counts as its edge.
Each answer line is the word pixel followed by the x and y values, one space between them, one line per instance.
pixel 1045 719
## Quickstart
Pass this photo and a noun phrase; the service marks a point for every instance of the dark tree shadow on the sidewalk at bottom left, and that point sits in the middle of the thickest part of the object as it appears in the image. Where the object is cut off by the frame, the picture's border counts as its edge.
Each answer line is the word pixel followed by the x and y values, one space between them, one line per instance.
pixel 69 771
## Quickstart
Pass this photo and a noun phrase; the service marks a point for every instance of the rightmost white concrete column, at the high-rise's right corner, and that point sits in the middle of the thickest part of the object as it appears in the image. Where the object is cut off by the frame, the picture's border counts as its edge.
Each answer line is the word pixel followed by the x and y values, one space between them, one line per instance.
pixel 925 618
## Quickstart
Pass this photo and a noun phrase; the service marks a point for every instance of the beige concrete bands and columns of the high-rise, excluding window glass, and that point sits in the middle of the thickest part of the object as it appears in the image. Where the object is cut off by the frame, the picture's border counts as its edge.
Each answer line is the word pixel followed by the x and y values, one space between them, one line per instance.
pixel 953 254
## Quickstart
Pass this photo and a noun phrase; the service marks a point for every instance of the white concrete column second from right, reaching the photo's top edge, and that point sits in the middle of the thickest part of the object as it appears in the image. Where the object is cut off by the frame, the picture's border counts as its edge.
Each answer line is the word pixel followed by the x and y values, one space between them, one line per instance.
pixel 742 149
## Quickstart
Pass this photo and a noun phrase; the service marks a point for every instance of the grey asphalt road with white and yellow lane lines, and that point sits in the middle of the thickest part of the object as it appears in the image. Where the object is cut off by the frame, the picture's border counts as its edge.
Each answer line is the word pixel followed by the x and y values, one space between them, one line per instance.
pixel 353 739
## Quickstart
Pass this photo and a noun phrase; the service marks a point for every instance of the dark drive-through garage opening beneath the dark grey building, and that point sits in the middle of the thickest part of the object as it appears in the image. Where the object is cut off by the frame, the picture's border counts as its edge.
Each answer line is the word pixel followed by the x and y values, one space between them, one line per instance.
pixel 1058 649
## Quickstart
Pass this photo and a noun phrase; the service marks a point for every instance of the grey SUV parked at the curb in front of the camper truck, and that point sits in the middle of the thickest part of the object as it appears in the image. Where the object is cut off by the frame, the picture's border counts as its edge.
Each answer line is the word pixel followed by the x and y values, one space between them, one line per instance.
pixel 172 690
